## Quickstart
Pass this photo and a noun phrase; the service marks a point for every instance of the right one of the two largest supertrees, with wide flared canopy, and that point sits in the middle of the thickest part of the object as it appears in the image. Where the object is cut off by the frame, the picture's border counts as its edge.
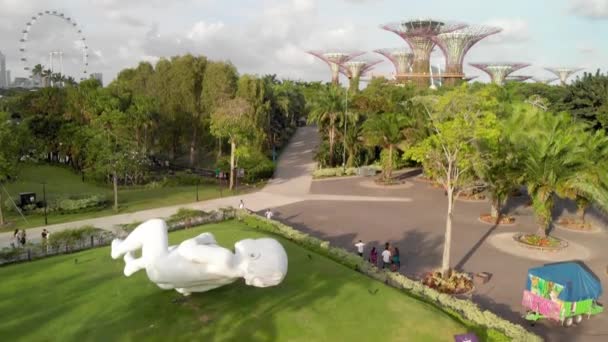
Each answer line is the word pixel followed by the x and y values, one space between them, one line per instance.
pixel 455 46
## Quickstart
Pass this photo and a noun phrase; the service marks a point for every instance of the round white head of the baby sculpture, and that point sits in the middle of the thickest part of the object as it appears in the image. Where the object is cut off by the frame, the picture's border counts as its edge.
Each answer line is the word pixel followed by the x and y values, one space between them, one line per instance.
pixel 263 261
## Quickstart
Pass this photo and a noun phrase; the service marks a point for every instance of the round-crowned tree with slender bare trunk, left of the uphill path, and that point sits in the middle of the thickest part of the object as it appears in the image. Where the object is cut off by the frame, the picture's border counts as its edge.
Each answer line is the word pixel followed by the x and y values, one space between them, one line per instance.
pixel 232 120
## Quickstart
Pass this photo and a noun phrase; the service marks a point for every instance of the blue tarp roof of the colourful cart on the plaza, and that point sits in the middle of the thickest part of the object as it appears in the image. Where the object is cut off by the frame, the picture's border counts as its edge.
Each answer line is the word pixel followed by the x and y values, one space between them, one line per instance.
pixel 579 284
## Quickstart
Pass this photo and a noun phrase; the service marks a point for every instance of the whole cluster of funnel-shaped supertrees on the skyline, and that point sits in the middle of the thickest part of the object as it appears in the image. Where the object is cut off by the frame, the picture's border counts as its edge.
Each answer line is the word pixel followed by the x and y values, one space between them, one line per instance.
pixel 412 62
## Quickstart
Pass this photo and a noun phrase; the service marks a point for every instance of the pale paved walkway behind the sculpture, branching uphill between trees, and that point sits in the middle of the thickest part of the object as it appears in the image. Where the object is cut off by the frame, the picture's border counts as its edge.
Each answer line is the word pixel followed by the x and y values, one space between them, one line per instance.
pixel 290 184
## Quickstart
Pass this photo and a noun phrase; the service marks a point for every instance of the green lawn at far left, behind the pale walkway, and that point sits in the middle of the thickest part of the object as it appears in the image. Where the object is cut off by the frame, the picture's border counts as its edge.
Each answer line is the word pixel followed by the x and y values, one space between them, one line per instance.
pixel 61 181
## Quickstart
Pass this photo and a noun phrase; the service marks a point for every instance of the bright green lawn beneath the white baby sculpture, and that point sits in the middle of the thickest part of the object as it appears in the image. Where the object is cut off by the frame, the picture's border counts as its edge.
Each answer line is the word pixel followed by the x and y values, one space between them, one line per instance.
pixel 85 296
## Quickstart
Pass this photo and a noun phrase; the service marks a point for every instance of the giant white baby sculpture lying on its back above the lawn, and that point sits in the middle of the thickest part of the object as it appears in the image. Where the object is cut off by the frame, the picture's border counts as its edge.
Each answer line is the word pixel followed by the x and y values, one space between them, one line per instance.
pixel 199 264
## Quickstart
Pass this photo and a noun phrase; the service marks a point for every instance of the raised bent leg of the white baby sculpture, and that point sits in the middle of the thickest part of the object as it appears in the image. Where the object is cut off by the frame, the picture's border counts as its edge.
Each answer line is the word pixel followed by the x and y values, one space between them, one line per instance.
pixel 151 236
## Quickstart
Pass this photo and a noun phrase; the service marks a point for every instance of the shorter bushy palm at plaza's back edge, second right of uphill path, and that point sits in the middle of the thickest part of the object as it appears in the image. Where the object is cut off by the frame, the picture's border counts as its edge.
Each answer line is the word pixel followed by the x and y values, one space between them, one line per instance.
pixel 386 130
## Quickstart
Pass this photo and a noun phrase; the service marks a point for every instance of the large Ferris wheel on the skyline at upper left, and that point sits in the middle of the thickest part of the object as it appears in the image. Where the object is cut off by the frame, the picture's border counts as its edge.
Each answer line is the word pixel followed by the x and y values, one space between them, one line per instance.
pixel 55 56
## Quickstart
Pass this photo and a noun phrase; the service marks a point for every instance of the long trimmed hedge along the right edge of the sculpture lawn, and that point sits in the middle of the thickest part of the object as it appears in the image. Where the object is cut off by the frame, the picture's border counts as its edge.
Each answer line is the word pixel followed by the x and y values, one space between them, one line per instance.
pixel 464 308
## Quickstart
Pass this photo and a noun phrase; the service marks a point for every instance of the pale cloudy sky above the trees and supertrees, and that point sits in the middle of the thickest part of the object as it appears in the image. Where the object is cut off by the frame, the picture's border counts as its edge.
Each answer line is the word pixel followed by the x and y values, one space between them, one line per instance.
pixel 272 36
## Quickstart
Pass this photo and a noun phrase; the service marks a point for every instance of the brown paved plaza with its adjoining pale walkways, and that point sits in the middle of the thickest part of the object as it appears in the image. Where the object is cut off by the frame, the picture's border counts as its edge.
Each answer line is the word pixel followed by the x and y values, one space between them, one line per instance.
pixel 412 217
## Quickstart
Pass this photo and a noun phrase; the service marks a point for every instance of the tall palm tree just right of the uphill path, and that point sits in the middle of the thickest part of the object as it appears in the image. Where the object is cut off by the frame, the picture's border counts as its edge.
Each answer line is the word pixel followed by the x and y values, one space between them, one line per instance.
pixel 326 112
